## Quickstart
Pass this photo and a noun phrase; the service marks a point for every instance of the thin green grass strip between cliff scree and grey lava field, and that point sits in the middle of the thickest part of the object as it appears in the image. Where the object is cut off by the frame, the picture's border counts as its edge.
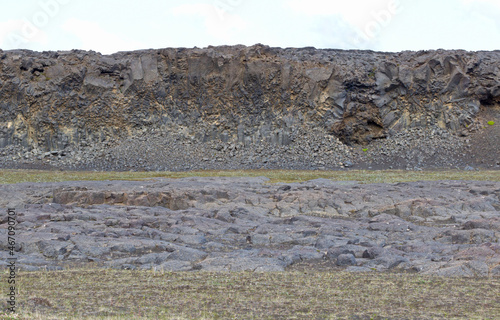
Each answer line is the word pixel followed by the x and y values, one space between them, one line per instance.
pixel 364 176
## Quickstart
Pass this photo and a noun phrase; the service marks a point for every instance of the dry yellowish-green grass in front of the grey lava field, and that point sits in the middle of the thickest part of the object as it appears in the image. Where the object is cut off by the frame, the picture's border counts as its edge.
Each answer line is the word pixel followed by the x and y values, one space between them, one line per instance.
pixel 114 294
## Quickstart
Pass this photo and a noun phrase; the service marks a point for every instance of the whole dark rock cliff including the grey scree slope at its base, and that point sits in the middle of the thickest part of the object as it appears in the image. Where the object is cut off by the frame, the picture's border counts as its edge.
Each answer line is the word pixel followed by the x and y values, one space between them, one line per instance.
pixel 247 107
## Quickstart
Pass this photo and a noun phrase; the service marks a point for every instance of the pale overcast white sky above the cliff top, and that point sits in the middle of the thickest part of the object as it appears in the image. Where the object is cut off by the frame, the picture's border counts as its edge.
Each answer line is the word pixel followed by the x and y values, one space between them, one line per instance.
pixel 108 26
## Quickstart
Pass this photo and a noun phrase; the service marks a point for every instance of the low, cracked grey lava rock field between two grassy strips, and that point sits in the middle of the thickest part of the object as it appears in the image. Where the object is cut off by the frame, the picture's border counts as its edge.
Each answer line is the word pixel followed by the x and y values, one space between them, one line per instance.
pixel 236 224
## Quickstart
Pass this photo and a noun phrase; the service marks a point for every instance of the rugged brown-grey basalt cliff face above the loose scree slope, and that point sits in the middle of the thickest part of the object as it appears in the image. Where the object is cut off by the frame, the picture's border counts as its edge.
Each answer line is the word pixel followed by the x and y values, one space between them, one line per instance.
pixel 240 96
